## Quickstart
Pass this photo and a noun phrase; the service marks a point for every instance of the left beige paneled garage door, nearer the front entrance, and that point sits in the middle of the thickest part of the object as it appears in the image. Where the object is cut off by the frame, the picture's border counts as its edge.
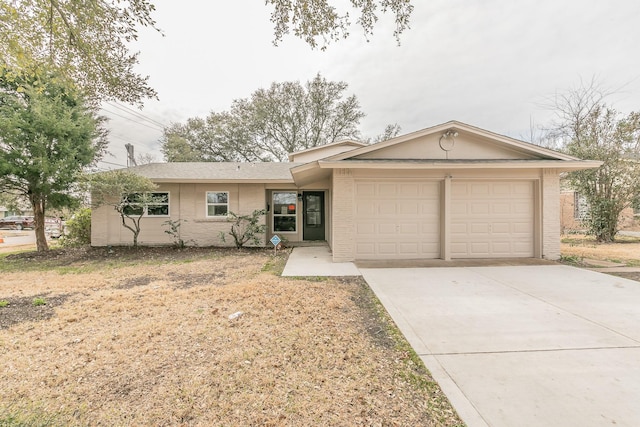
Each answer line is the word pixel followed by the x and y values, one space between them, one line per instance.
pixel 397 219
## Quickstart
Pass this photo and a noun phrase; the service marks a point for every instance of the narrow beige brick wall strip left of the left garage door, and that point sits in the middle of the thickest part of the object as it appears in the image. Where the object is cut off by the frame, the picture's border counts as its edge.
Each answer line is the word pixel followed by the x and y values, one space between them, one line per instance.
pixel 342 234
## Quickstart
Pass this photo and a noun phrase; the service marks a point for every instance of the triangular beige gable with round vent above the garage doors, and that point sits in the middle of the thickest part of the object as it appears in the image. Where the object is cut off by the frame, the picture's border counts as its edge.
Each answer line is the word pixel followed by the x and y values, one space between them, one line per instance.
pixel 452 141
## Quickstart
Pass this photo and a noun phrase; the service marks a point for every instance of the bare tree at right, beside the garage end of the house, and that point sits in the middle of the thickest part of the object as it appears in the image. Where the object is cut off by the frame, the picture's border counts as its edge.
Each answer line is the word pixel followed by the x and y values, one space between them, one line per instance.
pixel 586 127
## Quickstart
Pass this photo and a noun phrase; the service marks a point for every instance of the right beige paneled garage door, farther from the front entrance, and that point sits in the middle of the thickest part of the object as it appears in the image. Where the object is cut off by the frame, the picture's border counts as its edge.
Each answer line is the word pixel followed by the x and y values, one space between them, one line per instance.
pixel 492 219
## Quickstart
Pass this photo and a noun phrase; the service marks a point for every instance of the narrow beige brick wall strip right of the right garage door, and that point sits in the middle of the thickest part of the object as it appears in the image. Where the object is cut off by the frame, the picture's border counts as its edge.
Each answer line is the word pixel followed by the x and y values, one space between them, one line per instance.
pixel 550 214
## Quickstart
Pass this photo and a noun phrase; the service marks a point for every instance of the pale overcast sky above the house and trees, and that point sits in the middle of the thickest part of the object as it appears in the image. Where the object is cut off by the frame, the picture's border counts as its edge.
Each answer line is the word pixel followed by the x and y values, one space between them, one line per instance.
pixel 488 63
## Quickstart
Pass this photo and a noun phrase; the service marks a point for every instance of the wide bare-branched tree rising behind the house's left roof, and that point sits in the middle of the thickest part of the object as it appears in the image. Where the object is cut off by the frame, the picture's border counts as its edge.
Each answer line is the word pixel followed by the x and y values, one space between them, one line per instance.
pixel 272 123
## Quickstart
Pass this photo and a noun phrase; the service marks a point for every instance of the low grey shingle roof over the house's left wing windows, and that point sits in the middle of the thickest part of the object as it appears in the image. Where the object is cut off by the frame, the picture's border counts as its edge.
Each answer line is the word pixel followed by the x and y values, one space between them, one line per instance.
pixel 217 171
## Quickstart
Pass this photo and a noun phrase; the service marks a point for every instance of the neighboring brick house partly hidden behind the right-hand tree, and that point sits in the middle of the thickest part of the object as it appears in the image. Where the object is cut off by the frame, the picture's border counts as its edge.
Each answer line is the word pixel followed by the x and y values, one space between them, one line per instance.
pixel 574 209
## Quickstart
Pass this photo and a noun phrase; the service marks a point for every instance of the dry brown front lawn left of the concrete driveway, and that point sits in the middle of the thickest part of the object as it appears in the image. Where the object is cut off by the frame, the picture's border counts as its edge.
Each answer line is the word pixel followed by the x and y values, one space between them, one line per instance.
pixel 144 338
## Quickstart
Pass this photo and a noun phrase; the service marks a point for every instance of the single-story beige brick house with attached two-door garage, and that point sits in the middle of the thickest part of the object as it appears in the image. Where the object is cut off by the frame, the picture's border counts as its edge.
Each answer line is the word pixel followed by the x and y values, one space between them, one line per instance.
pixel 449 191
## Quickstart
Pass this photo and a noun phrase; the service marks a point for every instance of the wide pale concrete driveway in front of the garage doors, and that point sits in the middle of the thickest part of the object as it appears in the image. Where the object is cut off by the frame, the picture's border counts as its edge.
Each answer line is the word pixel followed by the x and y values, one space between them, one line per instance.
pixel 546 345
